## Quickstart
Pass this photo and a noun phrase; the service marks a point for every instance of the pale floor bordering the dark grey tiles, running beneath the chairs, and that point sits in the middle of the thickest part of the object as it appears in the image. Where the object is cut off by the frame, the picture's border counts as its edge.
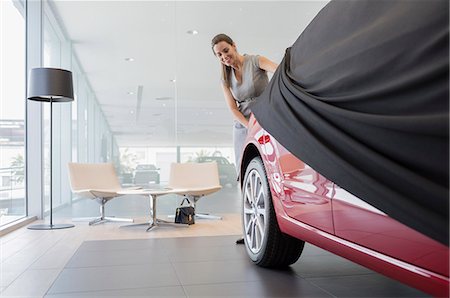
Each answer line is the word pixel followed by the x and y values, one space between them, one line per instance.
pixel 32 260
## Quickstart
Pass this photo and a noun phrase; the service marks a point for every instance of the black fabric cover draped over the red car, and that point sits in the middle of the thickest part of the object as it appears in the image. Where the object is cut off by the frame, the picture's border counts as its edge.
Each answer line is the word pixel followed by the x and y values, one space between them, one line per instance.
pixel 363 97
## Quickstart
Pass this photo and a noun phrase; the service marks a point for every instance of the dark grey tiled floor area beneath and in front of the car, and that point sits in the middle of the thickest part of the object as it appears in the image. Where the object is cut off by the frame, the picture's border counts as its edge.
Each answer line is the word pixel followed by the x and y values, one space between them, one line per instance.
pixel 209 267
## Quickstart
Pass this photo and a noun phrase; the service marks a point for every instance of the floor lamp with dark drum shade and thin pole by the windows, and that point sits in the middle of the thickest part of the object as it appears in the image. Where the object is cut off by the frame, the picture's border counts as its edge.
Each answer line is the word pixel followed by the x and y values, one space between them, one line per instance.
pixel 50 85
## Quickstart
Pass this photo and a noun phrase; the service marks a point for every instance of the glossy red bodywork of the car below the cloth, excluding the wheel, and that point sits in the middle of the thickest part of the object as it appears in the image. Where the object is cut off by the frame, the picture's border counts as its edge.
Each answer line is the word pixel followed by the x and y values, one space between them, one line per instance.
pixel 319 212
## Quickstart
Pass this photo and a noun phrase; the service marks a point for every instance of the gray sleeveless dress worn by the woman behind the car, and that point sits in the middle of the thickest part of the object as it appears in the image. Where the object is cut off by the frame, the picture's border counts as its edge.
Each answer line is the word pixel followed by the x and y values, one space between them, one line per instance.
pixel 254 81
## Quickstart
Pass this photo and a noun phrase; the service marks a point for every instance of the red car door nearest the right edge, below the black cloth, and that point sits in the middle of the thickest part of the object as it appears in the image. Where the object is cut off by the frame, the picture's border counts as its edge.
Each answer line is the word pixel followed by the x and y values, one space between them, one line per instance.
pixel 359 222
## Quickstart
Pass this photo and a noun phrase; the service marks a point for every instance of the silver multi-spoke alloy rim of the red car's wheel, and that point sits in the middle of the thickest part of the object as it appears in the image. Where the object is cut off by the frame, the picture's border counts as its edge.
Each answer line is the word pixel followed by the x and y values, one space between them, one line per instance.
pixel 254 211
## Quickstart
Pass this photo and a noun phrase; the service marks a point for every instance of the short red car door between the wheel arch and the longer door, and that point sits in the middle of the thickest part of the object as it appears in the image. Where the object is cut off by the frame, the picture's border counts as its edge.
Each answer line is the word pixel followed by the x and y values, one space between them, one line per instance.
pixel 306 195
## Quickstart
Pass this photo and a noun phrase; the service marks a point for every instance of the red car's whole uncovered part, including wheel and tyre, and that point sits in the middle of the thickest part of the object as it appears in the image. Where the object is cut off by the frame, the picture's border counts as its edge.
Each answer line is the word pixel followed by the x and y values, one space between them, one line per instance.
pixel 287 203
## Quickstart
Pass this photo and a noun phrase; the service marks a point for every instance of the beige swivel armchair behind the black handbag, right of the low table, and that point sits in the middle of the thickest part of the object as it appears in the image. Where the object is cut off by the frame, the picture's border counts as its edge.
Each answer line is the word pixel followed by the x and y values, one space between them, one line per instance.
pixel 195 180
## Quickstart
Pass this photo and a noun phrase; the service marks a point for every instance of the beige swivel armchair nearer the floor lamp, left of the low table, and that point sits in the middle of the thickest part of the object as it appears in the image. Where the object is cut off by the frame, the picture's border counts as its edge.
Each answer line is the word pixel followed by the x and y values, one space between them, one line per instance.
pixel 97 181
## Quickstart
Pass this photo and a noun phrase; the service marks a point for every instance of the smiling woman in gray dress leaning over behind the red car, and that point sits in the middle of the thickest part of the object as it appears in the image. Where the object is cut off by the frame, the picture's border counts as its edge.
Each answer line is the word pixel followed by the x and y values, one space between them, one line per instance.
pixel 244 77
